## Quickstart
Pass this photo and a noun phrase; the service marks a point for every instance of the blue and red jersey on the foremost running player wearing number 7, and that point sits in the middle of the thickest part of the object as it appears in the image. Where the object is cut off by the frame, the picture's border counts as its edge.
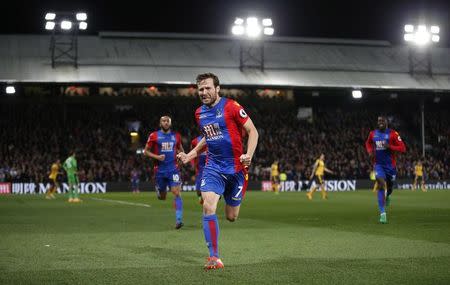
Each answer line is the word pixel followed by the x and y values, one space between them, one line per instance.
pixel 222 127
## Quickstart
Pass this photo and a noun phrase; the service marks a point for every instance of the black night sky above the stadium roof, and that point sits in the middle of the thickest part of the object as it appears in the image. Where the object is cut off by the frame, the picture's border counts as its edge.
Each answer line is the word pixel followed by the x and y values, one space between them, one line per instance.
pixel 375 19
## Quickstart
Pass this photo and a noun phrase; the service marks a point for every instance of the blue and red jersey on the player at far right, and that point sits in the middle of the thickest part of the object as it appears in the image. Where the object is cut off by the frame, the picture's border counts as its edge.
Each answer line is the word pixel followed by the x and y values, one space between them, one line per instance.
pixel 384 145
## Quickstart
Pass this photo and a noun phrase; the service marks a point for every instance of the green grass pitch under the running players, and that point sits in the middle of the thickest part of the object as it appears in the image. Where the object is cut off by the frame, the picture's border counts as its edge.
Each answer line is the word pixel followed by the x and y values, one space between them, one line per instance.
pixel 278 239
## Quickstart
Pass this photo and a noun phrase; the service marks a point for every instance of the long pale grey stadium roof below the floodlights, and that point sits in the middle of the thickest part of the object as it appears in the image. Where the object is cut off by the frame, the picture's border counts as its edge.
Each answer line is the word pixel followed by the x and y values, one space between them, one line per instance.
pixel 155 58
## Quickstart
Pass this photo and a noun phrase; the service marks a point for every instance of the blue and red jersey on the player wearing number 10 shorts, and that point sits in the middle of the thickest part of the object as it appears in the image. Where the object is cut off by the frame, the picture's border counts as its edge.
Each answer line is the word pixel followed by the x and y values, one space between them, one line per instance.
pixel 164 143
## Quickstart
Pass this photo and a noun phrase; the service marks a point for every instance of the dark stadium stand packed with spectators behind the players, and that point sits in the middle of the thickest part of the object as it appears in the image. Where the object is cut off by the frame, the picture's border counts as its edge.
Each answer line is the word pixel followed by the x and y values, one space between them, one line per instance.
pixel 36 134
